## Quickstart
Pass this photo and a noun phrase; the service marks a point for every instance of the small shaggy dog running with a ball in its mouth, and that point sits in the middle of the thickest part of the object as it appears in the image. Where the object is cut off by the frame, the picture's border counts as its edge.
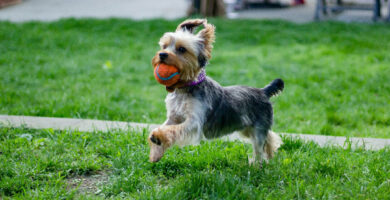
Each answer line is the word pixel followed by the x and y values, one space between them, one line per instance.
pixel 200 108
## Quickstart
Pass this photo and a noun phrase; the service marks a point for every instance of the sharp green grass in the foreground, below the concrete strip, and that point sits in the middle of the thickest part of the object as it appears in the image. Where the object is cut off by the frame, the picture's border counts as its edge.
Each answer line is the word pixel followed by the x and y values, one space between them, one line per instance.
pixel 38 164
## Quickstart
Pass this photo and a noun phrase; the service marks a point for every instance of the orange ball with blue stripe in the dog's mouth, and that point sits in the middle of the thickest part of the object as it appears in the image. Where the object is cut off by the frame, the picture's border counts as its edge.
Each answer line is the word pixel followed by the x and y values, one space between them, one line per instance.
pixel 167 75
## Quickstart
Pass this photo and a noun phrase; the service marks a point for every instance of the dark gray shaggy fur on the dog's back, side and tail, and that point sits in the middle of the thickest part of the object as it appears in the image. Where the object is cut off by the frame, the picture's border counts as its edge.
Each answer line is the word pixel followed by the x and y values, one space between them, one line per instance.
pixel 236 107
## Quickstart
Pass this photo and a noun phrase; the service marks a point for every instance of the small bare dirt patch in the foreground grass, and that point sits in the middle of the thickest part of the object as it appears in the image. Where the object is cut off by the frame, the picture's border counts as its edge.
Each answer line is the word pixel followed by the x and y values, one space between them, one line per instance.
pixel 88 184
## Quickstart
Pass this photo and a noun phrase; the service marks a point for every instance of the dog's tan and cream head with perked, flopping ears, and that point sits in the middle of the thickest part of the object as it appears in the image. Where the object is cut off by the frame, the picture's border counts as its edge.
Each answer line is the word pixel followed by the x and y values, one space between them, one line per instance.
pixel 185 49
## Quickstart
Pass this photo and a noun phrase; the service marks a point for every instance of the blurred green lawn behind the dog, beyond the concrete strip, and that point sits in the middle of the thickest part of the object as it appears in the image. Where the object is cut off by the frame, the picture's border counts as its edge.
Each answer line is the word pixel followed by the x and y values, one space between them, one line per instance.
pixel 336 75
